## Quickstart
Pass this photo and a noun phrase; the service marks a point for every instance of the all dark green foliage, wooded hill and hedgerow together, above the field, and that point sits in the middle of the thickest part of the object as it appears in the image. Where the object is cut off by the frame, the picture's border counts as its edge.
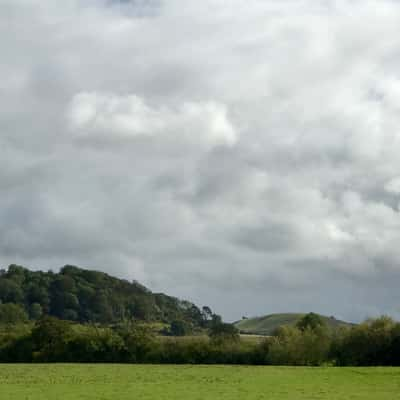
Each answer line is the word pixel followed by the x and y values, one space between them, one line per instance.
pixel 78 315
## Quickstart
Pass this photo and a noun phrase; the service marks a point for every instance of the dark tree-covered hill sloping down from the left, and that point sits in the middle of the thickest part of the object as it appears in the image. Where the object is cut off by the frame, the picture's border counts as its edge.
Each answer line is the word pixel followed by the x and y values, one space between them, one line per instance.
pixel 82 295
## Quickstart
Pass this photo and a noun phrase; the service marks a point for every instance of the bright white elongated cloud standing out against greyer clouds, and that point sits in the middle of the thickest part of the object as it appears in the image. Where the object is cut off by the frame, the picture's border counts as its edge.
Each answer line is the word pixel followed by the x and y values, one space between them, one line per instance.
pixel 129 116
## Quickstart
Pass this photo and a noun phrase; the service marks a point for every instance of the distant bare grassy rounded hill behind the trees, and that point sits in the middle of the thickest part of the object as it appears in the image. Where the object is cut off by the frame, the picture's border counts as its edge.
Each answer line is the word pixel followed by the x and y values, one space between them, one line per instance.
pixel 267 324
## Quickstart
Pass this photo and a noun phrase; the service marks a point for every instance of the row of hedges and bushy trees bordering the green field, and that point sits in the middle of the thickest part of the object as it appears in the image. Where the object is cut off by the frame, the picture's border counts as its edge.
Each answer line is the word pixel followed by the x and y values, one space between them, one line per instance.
pixel 310 343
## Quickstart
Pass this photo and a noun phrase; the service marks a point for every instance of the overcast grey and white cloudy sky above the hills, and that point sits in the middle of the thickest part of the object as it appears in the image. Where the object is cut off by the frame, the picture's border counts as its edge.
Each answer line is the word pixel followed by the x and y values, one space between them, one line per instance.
pixel 241 154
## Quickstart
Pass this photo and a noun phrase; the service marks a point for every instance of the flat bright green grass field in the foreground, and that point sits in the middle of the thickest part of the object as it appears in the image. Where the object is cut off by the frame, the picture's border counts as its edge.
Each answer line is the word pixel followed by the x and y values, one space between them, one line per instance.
pixel 123 382
